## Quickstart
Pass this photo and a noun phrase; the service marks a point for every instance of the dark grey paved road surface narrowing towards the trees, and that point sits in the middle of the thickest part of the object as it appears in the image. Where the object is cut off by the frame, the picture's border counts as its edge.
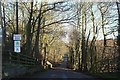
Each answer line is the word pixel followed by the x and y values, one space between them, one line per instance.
pixel 62 73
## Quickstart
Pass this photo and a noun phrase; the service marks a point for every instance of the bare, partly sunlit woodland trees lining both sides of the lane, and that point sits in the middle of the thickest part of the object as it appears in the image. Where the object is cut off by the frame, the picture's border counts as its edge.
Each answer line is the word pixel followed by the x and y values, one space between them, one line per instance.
pixel 87 32
